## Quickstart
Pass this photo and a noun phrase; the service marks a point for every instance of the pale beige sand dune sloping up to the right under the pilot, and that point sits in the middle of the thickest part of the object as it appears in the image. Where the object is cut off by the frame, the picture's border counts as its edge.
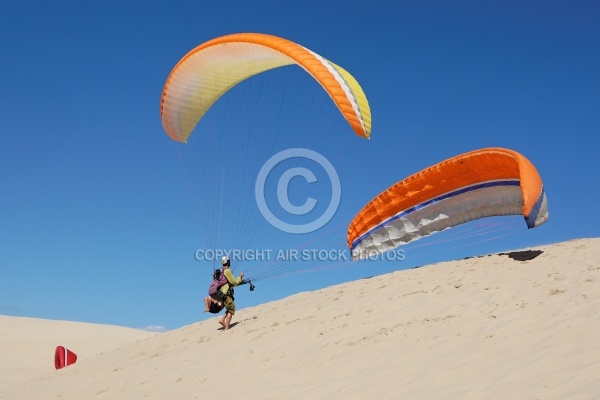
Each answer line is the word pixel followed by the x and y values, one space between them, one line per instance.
pixel 489 327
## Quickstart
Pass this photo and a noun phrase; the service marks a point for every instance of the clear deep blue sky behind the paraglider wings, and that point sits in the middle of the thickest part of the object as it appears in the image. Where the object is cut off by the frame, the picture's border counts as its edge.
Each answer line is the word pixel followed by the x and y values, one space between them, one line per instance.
pixel 99 221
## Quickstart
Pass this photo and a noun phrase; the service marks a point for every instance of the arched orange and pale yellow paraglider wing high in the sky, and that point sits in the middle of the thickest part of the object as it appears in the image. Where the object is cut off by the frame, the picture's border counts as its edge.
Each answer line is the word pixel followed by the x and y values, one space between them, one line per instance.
pixel 214 67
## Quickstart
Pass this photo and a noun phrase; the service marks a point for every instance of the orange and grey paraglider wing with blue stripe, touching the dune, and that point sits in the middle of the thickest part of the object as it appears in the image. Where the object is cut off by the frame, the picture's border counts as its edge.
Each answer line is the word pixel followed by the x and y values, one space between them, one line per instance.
pixel 481 183
